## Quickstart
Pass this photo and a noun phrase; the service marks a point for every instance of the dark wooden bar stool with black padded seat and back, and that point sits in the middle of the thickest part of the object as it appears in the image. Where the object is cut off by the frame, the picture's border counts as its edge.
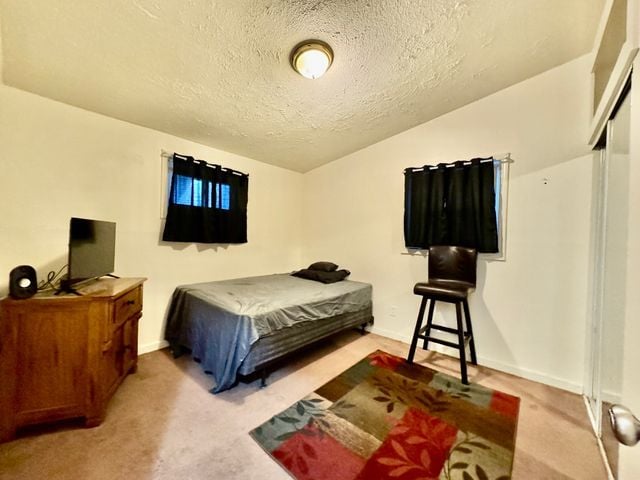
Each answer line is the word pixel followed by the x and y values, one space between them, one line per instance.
pixel 452 277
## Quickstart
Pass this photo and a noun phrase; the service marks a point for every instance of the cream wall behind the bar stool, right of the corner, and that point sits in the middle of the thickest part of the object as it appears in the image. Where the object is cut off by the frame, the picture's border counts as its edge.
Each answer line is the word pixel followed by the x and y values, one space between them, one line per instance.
pixel 529 311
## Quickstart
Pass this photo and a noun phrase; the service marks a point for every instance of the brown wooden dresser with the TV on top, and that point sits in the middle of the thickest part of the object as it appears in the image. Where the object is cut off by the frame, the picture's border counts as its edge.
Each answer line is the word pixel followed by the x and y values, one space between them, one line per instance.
pixel 64 356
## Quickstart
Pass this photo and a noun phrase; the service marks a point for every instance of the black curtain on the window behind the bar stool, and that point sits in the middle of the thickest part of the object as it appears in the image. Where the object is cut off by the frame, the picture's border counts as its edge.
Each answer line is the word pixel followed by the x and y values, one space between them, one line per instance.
pixel 451 205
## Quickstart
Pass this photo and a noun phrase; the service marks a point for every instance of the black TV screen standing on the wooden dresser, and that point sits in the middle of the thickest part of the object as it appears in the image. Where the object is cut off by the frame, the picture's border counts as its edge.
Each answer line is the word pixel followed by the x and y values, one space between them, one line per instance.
pixel 92 245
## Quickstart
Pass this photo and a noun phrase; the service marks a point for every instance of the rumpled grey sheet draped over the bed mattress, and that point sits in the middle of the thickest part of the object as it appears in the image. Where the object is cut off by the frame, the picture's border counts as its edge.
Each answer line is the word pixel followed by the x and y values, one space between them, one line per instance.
pixel 220 321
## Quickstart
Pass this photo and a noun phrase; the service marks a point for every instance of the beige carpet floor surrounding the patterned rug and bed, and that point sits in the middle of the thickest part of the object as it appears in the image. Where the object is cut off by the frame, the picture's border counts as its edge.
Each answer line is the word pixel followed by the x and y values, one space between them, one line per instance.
pixel 164 424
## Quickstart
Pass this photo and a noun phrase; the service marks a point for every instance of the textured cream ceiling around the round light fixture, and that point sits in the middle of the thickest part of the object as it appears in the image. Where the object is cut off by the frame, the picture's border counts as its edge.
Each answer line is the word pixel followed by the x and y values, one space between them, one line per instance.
pixel 217 72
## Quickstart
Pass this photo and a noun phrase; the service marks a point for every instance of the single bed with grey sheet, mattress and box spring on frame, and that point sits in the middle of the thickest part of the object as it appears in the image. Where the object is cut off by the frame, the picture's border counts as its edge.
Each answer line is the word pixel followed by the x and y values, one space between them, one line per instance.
pixel 241 327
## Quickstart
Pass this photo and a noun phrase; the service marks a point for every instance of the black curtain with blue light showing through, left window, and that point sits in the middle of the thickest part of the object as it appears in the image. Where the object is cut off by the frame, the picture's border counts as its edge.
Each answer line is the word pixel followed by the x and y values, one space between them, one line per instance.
pixel 207 203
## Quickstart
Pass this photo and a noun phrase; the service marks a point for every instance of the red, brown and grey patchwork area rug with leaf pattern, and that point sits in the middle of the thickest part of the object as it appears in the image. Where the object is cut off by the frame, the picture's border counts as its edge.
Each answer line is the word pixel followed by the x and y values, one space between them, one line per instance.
pixel 386 419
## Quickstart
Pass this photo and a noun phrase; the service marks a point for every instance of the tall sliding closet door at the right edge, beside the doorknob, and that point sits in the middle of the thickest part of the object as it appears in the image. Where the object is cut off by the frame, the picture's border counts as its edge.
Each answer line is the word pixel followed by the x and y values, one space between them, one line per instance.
pixel 611 275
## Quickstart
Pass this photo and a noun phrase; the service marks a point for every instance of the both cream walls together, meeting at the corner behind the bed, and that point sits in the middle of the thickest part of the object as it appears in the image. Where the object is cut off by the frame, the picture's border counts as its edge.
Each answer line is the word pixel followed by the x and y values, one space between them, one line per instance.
pixel 529 311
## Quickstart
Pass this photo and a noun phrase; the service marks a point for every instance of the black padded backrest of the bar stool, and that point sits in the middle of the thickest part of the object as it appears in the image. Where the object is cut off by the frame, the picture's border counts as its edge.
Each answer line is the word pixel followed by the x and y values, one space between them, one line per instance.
pixel 453 263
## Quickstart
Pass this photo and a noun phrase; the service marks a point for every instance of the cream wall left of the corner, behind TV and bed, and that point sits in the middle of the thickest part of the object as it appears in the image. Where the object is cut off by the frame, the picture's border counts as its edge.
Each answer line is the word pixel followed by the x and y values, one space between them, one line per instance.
pixel 58 161
